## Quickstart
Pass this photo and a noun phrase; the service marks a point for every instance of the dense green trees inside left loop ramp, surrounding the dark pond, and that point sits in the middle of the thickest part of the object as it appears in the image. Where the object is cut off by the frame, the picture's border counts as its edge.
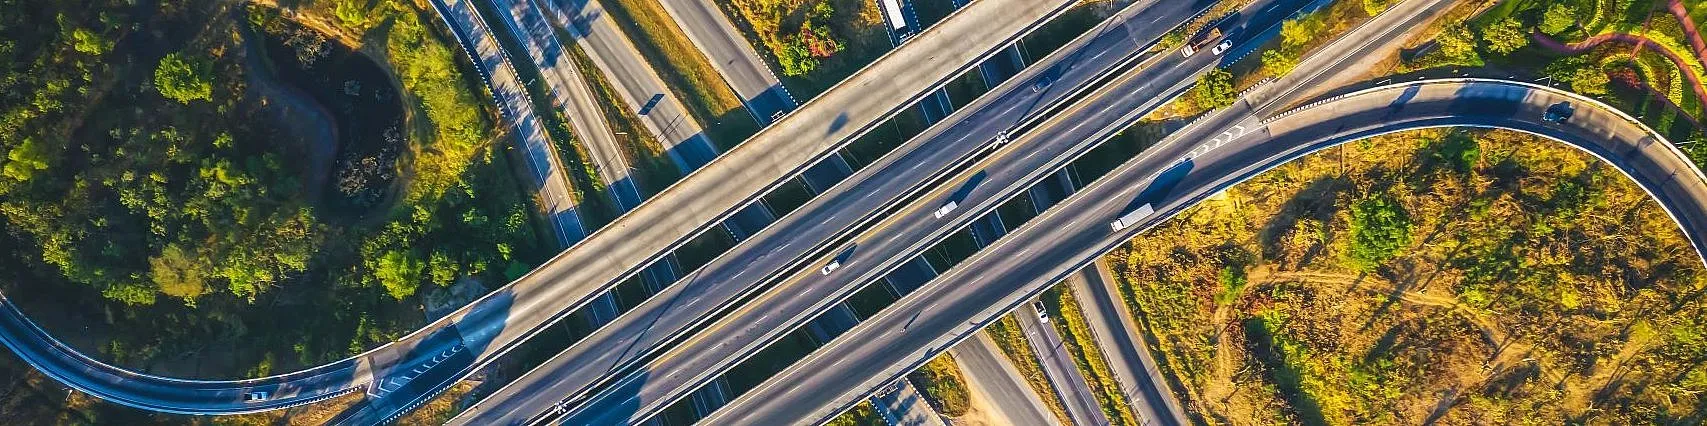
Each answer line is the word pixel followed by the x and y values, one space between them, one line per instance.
pixel 143 178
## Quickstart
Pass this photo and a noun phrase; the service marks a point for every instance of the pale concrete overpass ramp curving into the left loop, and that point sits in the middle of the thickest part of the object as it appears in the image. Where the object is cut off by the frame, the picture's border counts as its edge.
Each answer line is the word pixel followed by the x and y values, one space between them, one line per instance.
pixel 419 366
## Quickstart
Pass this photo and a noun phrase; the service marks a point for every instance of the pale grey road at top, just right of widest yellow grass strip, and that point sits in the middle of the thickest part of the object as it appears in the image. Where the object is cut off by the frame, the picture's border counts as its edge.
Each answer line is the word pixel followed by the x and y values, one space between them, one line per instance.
pixel 733 57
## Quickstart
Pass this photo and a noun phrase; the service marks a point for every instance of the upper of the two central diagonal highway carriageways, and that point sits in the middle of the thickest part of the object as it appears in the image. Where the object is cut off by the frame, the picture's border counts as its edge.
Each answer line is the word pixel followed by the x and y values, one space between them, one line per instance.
pixel 610 352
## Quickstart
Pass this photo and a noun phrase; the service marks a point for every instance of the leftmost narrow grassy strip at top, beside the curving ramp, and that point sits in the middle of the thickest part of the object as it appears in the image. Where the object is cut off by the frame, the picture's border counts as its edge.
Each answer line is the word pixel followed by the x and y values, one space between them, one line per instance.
pixel 585 183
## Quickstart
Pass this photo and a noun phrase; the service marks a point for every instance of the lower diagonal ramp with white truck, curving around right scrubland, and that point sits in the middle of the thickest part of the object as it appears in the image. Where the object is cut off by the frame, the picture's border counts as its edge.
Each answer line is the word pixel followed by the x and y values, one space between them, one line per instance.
pixel 1174 176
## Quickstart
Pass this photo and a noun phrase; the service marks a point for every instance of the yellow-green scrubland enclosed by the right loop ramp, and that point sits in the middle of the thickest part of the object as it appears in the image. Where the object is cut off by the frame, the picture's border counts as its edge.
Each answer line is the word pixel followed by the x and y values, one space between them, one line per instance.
pixel 1575 272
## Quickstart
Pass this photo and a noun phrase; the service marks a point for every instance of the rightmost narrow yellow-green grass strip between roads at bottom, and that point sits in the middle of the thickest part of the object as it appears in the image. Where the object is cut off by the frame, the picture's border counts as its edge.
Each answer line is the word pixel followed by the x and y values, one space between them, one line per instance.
pixel 1088 357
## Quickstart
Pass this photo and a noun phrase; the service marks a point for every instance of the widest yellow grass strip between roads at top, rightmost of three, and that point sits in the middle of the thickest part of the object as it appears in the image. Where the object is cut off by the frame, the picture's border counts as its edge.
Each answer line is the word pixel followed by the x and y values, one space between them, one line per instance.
pixel 685 71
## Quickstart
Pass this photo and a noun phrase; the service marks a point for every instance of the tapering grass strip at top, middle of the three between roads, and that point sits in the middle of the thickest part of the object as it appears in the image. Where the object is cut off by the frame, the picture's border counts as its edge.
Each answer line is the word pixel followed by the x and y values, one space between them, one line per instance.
pixel 641 147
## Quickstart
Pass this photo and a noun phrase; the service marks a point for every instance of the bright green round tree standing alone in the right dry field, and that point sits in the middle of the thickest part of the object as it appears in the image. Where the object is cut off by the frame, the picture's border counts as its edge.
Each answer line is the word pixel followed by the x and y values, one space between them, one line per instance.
pixel 1380 229
